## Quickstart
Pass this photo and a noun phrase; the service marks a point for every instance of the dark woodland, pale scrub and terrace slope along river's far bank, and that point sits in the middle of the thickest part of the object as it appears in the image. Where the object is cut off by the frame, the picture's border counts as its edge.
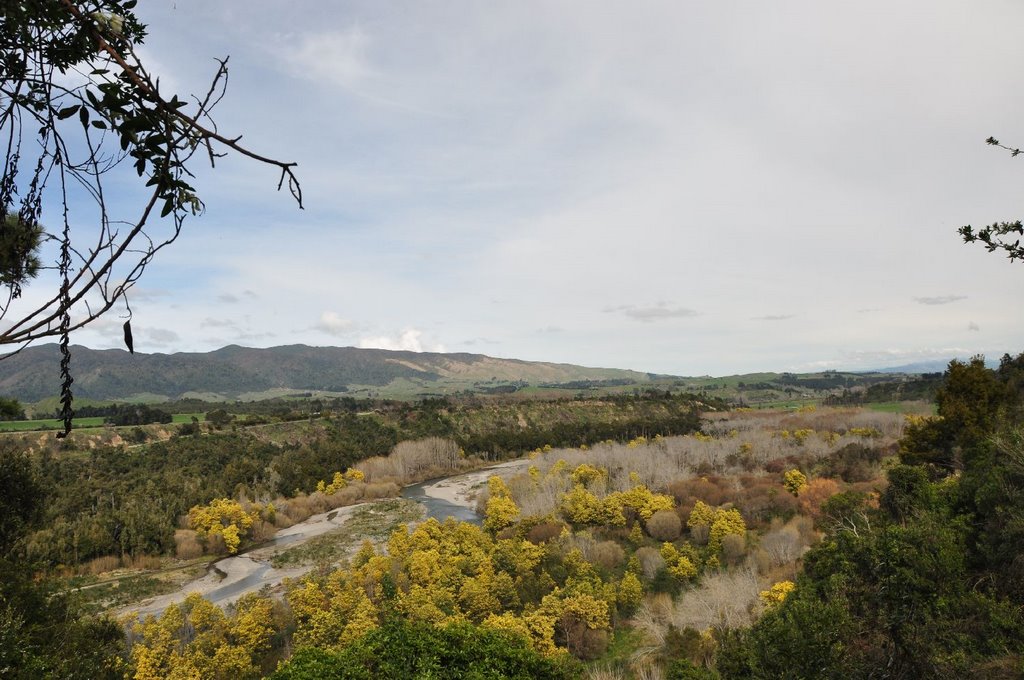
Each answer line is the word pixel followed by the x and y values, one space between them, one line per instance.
pixel 129 502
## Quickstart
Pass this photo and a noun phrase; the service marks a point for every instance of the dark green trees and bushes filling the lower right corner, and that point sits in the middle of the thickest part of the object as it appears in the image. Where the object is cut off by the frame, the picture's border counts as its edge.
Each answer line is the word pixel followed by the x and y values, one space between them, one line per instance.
pixel 929 584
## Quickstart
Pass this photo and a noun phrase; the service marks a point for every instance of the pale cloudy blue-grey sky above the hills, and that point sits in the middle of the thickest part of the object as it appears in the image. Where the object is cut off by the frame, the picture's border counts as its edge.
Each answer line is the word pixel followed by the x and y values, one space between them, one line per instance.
pixel 680 188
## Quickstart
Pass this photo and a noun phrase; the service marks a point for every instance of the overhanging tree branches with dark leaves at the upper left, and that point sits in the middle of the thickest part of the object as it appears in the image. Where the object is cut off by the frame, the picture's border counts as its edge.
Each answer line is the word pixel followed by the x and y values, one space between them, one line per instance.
pixel 78 106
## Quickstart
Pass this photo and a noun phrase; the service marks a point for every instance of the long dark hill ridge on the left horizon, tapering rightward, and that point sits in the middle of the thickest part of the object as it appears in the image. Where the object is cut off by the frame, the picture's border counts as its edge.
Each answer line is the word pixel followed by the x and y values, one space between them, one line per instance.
pixel 236 372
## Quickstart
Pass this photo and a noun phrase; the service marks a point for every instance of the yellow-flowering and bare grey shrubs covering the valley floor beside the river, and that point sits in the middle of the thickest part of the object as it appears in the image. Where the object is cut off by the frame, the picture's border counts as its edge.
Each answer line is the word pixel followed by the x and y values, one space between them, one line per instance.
pixel 676 538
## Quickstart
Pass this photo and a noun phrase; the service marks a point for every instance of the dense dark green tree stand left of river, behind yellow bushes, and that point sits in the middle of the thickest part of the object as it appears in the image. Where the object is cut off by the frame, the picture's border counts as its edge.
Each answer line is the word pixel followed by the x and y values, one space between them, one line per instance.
pixel 127 502
